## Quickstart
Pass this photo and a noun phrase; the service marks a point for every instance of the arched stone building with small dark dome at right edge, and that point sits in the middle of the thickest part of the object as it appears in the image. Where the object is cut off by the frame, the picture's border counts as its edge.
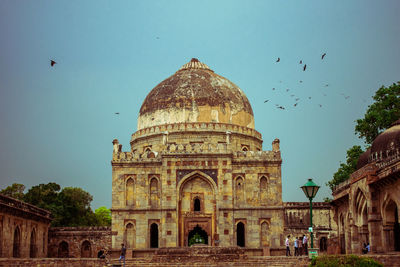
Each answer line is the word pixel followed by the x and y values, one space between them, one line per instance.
pixel 367 205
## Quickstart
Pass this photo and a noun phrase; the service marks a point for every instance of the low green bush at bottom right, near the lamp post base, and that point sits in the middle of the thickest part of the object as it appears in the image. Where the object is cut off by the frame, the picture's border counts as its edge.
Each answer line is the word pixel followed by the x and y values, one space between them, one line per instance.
pixel 344 261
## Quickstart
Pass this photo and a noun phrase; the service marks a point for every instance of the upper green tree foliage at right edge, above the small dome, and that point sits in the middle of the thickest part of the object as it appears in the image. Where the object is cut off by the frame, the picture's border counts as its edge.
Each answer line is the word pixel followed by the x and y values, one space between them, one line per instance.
pixel 381 114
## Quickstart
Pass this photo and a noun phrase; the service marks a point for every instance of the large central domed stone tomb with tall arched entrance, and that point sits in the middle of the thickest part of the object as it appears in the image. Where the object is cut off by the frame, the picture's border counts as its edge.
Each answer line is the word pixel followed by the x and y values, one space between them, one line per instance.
pixel 195 171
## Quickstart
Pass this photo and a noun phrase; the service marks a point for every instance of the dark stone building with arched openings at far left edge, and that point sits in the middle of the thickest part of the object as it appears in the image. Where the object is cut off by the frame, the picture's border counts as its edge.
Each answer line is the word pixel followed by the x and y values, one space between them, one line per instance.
pixel 23 229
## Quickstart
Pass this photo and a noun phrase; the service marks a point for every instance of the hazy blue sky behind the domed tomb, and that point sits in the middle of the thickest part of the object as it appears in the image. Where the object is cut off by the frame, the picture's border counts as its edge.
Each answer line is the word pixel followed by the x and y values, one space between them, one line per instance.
pixel 57 124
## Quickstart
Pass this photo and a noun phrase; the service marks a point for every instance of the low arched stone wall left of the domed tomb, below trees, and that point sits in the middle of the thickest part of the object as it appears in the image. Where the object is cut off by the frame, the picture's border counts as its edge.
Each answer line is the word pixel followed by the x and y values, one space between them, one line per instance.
pixel 78 242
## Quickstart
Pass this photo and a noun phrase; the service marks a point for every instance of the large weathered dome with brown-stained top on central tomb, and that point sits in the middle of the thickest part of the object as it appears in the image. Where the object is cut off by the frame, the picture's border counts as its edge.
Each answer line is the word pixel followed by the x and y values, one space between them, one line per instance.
pixel 195 94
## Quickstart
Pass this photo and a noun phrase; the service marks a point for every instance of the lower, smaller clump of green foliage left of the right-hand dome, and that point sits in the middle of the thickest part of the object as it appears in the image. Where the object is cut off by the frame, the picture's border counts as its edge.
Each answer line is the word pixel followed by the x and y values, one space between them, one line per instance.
pixel 345 169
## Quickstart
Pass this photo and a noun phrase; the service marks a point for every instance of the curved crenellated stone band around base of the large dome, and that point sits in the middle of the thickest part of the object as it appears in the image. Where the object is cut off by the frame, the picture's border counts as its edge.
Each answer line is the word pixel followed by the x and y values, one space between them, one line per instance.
pixel 195 126
